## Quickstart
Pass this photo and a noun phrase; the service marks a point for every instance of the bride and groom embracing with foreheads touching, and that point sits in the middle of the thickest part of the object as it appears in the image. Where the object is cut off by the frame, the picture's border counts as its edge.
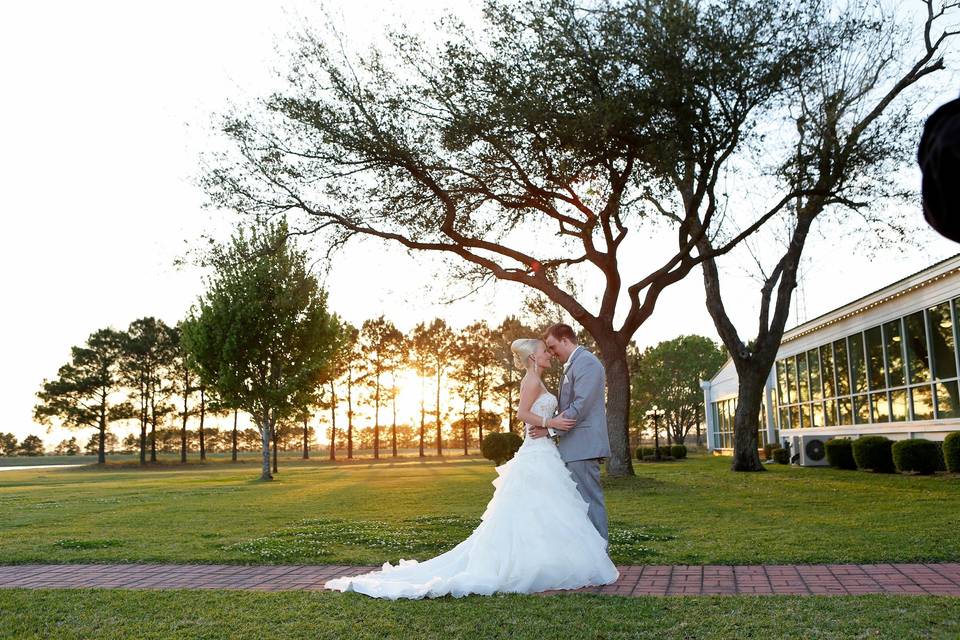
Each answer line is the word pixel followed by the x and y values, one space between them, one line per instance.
pixel 546 525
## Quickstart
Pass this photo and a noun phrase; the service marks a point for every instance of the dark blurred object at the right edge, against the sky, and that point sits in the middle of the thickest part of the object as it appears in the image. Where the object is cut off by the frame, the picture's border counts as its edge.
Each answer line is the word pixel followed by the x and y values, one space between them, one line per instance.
pixel 939 158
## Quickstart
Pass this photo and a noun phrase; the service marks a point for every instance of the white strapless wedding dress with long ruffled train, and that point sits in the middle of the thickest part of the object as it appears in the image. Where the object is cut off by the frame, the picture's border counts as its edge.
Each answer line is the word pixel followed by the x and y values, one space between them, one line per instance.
pixel 534 535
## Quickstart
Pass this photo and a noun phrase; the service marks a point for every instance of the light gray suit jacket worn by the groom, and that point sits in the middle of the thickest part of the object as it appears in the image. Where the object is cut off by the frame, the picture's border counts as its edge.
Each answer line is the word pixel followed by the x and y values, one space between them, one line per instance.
pixel 581 398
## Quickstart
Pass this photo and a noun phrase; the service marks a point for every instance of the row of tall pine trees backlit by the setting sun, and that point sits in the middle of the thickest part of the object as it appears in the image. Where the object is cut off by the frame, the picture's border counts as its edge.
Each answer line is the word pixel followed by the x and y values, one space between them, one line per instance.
pixel 466 386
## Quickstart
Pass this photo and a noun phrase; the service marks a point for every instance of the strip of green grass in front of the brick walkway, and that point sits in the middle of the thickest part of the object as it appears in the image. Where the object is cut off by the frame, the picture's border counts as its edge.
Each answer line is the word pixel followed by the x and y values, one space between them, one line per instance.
pixel 110 615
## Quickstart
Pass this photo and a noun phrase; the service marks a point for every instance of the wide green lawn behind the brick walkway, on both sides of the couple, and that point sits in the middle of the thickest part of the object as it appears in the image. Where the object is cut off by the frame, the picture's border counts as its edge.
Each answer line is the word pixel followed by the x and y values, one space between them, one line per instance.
pixel 691 512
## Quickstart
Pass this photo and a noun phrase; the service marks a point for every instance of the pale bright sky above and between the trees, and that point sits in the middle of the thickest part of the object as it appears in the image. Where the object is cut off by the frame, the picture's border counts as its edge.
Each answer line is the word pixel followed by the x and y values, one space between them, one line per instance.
pixel 106 109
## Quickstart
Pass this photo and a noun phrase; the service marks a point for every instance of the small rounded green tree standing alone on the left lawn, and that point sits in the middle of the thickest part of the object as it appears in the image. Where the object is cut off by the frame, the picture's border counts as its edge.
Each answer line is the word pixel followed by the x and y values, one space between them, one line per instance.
pixel 261 334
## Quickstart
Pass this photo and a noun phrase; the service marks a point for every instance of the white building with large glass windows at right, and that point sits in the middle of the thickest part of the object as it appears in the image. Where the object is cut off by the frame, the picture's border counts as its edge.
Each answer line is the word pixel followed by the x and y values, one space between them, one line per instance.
pixel 884 364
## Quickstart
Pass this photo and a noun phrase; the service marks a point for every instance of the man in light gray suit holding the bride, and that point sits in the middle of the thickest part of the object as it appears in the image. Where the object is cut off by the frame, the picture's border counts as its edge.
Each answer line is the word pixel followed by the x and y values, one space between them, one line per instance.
pixel 580 399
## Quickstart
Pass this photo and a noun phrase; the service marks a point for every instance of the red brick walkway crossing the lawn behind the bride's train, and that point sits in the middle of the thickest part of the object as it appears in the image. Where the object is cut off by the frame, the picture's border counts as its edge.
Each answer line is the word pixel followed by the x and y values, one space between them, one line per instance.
pixel 834 579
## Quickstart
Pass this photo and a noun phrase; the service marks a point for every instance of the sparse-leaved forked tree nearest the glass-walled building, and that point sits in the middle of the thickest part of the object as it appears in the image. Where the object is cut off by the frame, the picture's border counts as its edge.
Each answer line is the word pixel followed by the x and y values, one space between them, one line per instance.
pixel 844 126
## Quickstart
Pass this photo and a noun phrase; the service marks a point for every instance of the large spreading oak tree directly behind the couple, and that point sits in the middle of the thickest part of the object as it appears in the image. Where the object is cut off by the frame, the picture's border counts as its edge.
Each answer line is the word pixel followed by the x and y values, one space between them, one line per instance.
pixel 521 152
